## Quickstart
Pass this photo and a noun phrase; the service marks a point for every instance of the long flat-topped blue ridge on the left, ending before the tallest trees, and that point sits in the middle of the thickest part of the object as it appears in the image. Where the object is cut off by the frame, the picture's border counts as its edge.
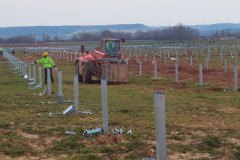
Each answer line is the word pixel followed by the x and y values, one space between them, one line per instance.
pixel 65 31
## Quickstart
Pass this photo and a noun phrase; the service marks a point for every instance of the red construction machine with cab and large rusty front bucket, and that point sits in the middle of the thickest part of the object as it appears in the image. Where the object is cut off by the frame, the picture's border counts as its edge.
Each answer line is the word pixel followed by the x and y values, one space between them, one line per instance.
pixel 104 62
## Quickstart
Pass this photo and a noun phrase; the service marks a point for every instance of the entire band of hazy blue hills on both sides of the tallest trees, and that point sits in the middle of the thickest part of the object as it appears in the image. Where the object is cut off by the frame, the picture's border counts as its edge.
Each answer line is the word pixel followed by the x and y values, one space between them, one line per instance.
pixel 68 31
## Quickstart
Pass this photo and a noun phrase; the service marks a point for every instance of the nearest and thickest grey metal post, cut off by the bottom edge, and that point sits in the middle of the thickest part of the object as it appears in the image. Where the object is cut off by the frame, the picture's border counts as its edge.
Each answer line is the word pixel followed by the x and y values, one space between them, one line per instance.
pixel 160 124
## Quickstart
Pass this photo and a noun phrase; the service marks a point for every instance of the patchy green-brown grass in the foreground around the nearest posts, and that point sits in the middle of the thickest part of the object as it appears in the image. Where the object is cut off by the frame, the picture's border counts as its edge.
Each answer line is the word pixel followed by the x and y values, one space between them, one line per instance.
pixel 202 123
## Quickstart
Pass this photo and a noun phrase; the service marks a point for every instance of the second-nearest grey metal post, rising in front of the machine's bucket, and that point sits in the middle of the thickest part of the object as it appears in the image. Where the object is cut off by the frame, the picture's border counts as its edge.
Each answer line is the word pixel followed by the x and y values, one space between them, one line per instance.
pixel 104 105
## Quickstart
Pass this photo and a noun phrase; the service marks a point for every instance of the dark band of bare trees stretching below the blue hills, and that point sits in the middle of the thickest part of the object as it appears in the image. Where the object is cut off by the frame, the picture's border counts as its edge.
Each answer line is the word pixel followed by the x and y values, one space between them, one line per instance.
pixel 175 33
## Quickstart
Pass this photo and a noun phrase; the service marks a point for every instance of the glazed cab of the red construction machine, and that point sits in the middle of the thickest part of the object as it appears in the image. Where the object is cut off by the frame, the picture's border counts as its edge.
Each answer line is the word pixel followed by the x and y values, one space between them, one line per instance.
pixel 111 47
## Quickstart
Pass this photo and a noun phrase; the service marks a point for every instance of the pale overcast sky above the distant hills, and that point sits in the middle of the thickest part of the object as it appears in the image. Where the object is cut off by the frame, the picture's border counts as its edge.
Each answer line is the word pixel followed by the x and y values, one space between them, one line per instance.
pixel 93 12
